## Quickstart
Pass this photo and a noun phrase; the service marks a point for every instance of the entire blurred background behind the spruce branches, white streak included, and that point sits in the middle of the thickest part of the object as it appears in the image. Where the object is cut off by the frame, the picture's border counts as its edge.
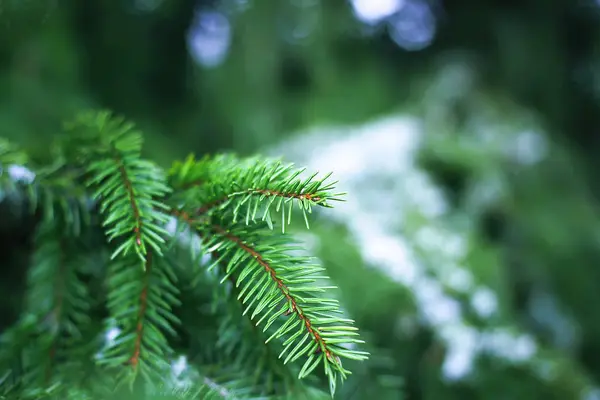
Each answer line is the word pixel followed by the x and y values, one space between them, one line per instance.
pixel 465 133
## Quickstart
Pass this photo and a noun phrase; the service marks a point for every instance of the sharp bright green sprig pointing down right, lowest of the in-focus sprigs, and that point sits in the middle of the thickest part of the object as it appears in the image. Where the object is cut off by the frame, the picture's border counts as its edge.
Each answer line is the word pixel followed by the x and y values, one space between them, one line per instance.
pixel 269 276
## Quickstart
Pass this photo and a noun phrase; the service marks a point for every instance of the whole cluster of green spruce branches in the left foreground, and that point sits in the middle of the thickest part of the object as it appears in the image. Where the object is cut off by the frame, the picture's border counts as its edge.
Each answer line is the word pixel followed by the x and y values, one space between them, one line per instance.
pixel 100 170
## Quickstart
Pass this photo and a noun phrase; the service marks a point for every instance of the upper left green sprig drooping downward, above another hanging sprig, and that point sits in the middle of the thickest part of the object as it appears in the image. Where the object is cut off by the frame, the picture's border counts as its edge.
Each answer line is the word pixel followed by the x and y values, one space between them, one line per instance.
pixel 126 185
